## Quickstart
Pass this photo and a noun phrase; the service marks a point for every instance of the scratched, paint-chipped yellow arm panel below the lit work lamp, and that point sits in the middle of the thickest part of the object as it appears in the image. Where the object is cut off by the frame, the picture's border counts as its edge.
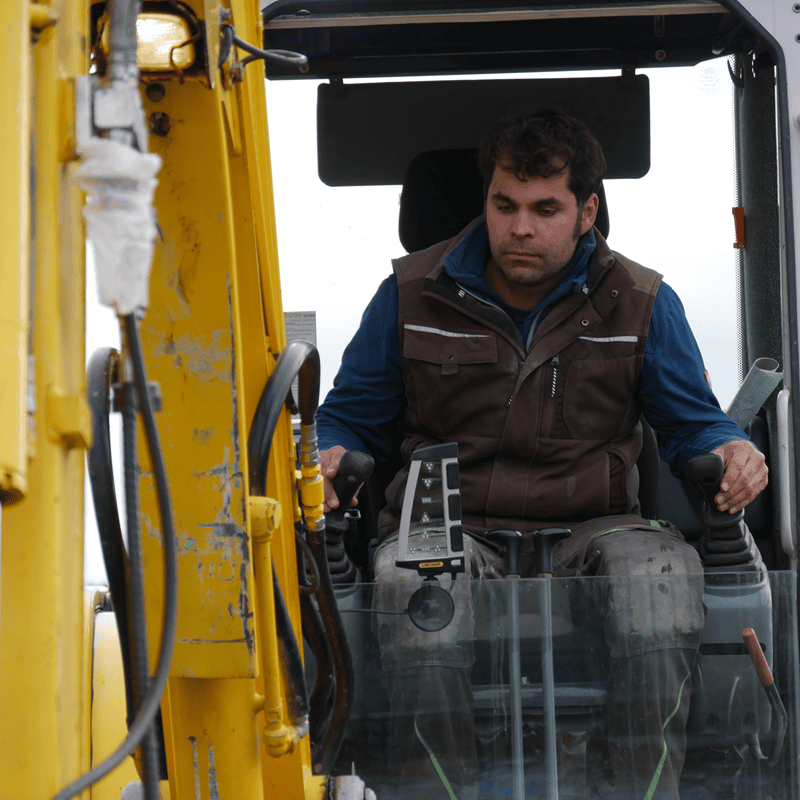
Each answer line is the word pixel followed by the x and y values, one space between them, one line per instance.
pixel 192 340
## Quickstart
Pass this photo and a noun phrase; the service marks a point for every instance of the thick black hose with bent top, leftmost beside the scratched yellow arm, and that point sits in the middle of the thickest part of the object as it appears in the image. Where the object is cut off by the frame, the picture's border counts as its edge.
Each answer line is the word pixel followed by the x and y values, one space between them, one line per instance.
pixel 101 373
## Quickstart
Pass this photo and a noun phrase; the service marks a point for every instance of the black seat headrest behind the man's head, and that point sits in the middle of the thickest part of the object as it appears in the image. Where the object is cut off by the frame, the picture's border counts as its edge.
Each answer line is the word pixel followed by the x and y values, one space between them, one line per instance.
pixel 443 193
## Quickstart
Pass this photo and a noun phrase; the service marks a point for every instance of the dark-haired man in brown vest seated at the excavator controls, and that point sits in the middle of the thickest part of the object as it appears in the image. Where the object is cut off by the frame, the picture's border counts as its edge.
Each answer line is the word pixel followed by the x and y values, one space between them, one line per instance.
pixel 536 348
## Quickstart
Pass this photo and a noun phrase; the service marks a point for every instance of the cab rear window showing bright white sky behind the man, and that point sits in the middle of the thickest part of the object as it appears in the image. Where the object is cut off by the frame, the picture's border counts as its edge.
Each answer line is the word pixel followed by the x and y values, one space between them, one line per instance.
pixel 336 244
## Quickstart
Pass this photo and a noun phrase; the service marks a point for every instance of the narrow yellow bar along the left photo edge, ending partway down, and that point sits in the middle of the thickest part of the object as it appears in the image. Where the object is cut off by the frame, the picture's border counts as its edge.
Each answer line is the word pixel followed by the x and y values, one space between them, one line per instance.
pixel 15 235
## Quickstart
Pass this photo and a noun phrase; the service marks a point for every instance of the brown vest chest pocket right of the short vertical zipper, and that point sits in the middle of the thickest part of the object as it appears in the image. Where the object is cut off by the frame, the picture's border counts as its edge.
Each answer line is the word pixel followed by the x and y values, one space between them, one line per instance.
pixel 598 397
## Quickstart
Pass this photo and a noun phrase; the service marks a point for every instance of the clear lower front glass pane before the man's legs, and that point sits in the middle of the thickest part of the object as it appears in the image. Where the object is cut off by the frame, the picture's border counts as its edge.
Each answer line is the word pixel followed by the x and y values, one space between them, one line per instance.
pixel 415 737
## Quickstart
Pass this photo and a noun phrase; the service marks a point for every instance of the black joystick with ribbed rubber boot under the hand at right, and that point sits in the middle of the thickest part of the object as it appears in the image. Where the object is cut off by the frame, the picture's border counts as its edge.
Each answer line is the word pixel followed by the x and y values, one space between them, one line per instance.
pixel 727 544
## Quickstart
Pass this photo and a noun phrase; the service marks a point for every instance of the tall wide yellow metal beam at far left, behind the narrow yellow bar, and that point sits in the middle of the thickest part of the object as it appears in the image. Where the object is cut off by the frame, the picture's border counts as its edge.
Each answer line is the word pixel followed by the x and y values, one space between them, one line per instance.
pixel 41 666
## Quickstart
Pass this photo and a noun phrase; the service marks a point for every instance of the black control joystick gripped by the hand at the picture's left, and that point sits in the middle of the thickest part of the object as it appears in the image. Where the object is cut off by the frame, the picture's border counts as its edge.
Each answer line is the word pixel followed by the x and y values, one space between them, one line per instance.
pixel 354 469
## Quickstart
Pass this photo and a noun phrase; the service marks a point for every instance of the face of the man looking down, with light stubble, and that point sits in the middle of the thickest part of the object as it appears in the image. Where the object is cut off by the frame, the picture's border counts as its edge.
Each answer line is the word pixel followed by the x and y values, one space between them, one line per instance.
pixel 533 226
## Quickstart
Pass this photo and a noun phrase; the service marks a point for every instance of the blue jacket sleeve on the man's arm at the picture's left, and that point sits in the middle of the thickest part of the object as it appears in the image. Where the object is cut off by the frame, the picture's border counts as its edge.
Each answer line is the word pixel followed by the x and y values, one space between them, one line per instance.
pixel 368 390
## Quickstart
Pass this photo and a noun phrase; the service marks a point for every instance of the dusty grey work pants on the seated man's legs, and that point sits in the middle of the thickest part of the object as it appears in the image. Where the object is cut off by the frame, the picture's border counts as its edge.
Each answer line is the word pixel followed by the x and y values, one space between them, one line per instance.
pixel 652 629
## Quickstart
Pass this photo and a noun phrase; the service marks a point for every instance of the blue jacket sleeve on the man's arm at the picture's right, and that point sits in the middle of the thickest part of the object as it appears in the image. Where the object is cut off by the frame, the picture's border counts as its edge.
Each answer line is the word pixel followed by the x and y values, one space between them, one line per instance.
pixel 673 393
